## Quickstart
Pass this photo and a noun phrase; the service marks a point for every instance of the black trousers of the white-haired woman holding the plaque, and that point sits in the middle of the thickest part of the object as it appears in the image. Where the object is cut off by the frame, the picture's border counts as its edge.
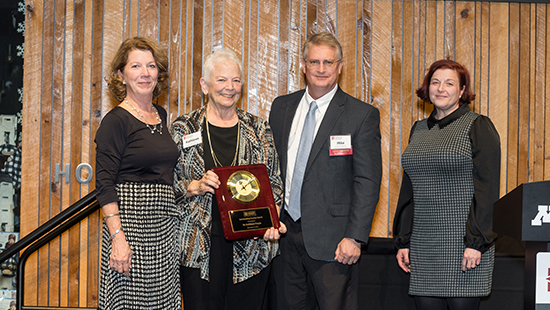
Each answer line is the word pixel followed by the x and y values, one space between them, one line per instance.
pixel 220 293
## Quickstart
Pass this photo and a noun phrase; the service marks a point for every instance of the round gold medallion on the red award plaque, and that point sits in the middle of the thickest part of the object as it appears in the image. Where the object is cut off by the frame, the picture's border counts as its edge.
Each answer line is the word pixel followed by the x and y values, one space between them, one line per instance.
pixel 243 186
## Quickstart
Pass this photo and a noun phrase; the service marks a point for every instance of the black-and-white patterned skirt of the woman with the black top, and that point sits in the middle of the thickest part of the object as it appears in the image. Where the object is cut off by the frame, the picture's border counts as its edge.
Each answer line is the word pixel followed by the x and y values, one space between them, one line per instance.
pixel 148 215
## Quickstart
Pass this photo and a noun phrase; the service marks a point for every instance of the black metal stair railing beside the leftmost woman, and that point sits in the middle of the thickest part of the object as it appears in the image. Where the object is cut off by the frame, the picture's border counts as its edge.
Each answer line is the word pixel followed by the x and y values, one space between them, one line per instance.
pixel 44 234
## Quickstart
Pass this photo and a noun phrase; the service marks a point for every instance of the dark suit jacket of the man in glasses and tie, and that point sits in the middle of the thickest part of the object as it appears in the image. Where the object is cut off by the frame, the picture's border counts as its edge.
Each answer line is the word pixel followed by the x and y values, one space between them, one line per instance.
pixel 339 193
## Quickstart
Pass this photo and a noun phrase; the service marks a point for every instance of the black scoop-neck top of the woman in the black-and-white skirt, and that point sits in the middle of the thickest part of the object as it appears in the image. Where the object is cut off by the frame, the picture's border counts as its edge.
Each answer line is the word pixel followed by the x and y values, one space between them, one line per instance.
pixel 127 152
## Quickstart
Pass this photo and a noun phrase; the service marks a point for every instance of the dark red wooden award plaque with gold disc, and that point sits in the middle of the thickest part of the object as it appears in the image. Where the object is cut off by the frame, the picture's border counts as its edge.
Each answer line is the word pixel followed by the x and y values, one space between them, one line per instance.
pixel 245 201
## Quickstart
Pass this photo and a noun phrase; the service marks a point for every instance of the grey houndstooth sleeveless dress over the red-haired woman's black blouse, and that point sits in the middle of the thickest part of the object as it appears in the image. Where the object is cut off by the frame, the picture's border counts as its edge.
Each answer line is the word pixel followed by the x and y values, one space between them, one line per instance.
pixel 439 164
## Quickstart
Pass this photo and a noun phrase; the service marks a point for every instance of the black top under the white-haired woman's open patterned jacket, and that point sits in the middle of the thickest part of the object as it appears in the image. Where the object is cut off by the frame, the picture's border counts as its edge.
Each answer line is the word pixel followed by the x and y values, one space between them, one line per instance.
pixel 224 140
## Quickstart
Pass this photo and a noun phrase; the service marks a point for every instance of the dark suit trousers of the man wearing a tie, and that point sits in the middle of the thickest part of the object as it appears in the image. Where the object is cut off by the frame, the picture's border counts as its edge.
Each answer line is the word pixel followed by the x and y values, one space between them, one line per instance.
pixel 305 283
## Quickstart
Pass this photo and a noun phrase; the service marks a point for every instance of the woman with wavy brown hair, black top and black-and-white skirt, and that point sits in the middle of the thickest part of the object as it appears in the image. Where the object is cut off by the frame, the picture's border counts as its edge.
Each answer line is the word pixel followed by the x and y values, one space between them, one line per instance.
pixel 136 157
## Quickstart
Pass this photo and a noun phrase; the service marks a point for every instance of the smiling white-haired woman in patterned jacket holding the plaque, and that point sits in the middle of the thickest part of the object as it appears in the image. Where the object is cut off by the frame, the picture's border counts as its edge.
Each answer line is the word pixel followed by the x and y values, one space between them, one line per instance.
pixel 217 273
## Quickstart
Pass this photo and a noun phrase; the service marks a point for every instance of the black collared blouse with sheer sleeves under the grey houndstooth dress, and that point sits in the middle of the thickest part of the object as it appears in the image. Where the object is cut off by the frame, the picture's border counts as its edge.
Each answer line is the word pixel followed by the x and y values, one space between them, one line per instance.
pixel 479 226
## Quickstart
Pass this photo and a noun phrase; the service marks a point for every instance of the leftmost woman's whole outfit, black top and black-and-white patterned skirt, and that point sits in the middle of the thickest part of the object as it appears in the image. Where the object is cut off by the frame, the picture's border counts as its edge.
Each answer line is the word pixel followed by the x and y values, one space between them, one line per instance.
pixel 134 167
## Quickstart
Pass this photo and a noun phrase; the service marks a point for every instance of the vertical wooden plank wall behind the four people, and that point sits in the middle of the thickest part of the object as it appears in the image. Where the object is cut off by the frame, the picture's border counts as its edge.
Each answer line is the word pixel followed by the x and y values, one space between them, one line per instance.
pixel 388 45
